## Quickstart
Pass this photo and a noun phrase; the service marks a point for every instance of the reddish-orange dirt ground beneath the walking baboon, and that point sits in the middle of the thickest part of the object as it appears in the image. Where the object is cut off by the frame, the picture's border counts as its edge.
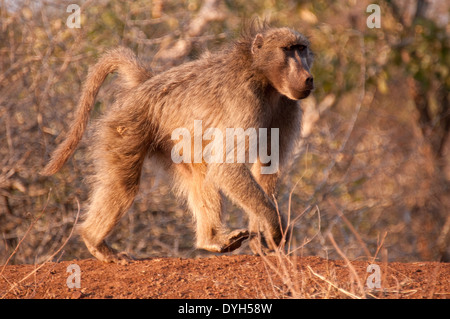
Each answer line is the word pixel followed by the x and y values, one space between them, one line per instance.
pixel 238 276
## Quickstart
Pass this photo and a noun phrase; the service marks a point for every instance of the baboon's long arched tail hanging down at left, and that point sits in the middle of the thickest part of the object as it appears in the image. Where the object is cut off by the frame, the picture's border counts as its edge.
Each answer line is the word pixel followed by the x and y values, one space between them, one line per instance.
pixel 132 73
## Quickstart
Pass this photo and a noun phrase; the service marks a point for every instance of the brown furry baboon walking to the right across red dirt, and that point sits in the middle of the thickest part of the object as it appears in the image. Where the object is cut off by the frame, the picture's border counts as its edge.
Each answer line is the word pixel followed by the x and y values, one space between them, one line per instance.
pixel 255 82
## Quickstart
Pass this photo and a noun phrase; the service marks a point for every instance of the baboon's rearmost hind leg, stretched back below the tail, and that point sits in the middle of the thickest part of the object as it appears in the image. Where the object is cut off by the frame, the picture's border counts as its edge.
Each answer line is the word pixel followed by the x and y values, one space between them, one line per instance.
pixel 118 165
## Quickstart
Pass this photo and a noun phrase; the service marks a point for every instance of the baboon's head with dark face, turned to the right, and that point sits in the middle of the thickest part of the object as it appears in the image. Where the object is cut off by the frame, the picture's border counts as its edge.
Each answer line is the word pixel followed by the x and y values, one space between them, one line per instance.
pixel 284 58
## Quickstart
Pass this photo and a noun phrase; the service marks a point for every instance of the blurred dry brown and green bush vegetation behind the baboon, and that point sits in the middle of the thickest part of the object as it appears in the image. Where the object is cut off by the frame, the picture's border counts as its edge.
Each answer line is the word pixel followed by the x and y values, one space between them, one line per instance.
pixel 372 170
